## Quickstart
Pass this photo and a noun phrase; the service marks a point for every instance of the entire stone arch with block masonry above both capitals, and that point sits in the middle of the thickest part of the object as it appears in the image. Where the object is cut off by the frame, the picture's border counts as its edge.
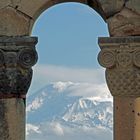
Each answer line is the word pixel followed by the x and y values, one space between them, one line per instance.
pixel 18 16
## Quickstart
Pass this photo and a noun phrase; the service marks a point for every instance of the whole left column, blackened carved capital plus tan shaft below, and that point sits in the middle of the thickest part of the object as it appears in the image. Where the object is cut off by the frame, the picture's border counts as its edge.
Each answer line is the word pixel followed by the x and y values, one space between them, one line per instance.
pixel 17 56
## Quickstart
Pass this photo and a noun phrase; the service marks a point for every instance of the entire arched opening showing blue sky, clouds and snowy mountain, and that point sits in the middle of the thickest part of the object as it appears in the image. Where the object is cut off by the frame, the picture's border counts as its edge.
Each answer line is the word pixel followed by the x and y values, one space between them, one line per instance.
pixel 68 76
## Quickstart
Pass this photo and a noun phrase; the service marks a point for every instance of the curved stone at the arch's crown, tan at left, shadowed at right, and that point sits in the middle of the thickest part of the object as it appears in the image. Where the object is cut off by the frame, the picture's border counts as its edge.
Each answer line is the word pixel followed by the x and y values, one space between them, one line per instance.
pixel 34 9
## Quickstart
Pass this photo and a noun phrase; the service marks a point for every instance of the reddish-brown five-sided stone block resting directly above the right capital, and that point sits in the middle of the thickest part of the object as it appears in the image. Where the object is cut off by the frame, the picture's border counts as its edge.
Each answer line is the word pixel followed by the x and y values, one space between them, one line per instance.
pixel 124 23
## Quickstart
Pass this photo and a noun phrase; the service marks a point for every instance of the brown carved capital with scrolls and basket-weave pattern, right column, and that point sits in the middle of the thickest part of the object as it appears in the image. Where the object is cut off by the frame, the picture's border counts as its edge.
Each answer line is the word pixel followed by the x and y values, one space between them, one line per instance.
pixel 121 58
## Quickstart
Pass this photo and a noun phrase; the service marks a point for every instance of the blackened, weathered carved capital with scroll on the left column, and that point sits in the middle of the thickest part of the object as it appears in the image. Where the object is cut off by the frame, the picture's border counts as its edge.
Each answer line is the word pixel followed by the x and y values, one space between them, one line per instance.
pixel 17 56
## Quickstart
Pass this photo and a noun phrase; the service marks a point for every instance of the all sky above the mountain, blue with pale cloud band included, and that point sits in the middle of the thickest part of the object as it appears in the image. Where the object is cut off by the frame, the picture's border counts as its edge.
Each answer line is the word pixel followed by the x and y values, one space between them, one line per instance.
pixel 68 45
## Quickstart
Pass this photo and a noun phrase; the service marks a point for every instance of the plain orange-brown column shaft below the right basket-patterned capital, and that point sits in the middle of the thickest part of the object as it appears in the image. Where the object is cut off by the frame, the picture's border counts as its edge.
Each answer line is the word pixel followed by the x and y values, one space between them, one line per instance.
pixel 126 118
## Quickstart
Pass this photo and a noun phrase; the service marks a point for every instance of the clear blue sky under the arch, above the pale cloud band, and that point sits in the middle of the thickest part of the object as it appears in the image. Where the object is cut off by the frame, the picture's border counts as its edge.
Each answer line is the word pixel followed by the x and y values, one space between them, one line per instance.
pixel 68 35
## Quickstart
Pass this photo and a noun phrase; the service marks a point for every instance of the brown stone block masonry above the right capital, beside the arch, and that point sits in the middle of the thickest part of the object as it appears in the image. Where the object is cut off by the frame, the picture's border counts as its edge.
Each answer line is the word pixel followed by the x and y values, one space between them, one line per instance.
pixel 122 16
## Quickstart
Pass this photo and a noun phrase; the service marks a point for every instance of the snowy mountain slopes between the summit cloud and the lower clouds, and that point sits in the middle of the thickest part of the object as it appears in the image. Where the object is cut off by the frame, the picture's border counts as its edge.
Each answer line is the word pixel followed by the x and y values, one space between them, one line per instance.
pixel 55 103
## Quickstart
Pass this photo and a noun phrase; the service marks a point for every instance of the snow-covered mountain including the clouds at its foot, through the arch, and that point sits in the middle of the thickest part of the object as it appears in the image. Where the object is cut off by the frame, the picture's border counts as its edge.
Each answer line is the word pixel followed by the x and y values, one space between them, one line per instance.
pixel 59 109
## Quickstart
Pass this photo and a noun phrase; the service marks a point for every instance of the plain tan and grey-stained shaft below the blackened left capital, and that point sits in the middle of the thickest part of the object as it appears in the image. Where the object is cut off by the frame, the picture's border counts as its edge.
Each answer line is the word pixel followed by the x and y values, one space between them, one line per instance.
pixel 12 119
